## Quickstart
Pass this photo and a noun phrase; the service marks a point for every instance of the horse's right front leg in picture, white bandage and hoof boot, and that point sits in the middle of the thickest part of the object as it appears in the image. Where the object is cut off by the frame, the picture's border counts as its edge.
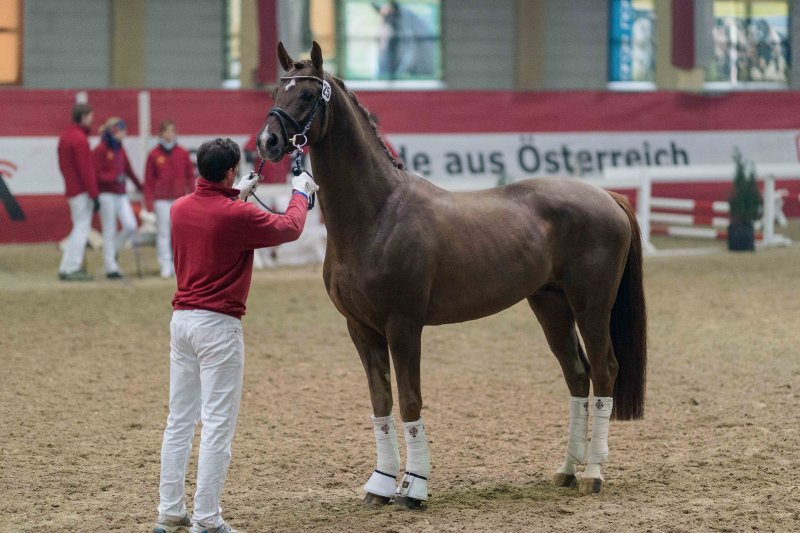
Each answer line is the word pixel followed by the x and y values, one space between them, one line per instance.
pixel 405 345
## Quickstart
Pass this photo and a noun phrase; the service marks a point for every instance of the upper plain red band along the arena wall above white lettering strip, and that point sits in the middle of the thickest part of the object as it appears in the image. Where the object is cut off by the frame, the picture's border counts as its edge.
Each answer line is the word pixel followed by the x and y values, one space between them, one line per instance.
pixel 198 112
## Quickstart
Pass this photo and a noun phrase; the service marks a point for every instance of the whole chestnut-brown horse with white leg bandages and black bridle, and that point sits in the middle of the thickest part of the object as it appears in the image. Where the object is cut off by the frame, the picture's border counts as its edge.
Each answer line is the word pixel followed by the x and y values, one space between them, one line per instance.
pixel 403 253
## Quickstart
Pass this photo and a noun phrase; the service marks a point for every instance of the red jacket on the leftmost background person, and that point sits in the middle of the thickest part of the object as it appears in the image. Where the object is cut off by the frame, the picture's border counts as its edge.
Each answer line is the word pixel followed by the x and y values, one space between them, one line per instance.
pixel 75 161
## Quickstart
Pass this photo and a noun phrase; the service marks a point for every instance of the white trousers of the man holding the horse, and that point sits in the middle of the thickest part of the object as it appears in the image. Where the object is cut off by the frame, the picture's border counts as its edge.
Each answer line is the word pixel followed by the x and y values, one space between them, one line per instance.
pixel 205 383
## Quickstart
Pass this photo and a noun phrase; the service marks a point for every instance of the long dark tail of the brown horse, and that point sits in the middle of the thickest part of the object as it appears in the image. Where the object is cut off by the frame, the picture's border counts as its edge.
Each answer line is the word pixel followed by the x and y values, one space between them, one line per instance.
pixel 629 327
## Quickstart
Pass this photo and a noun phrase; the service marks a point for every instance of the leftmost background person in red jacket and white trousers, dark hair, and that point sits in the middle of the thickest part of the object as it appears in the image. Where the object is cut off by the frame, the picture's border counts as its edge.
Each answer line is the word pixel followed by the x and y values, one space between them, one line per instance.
pixel 75 162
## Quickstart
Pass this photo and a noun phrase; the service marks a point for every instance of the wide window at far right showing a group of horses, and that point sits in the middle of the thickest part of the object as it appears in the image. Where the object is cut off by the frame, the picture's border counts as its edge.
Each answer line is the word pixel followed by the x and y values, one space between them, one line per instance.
pixel 751 42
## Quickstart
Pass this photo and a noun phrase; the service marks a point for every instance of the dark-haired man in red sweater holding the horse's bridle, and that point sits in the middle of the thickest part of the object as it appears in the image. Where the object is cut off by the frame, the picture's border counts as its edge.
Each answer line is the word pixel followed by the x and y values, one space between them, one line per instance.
pixel 213 238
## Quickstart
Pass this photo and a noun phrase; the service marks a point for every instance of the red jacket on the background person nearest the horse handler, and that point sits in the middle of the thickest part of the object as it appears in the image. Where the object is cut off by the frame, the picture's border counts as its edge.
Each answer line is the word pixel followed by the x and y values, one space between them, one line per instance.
pixel 167 175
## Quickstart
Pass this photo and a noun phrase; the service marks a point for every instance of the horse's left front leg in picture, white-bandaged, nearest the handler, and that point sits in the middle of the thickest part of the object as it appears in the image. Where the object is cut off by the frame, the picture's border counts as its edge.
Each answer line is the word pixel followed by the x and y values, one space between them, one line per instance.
pixel 374 353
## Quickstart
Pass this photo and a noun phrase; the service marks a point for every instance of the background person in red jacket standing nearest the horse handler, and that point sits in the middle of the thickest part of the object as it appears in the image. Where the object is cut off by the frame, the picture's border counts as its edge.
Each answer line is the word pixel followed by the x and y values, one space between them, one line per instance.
pixel 168 175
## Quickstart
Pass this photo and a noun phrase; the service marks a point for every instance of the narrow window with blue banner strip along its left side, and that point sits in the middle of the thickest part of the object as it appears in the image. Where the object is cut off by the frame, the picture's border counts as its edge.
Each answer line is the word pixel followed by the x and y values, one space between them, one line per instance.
pixel 632 48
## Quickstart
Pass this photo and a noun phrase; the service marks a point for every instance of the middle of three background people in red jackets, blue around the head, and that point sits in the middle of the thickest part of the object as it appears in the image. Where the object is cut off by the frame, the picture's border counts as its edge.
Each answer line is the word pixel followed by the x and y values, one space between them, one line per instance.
pixel 113 170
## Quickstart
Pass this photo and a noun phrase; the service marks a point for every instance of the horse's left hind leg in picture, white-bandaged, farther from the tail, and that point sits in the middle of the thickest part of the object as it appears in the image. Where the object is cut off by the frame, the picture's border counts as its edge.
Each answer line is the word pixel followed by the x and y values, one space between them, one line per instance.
pixel 555 315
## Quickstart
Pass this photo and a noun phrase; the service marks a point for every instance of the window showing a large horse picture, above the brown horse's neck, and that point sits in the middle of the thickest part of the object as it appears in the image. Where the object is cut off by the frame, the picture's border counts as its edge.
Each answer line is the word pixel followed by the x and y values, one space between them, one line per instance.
pixel 391 40
